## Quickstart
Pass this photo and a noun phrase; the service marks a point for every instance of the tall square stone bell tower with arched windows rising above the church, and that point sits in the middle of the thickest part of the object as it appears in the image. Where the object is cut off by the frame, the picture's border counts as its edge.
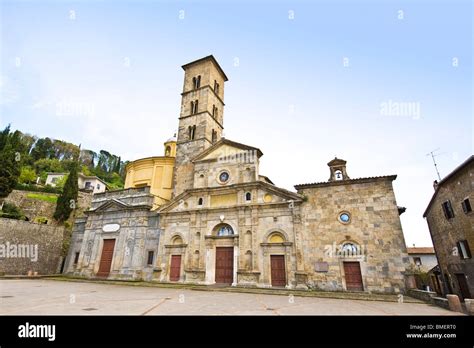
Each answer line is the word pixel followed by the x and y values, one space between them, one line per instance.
pixel 201 118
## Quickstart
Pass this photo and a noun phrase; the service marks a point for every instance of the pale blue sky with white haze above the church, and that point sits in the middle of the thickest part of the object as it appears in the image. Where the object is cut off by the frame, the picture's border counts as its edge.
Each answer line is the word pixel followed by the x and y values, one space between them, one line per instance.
pixel 380 84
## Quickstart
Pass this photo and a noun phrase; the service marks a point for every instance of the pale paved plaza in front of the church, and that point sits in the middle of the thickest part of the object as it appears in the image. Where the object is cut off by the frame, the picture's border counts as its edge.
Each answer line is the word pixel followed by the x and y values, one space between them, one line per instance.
pixel 51 297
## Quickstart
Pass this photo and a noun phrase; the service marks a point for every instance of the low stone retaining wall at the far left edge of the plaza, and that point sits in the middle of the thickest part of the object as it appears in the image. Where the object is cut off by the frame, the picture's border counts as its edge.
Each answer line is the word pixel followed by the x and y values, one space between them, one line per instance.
pixel 26 246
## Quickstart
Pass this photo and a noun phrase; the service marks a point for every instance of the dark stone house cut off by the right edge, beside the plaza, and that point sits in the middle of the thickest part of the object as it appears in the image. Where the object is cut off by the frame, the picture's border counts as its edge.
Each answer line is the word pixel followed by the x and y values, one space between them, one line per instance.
pixel 451 223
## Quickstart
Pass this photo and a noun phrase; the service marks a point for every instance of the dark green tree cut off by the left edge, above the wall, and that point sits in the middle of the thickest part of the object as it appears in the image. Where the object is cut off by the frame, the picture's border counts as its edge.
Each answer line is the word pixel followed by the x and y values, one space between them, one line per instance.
pixel 9 164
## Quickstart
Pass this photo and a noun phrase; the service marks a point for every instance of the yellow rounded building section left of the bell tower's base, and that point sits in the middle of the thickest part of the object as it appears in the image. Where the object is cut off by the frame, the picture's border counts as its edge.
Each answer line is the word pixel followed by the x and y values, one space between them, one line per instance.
pixel 155 172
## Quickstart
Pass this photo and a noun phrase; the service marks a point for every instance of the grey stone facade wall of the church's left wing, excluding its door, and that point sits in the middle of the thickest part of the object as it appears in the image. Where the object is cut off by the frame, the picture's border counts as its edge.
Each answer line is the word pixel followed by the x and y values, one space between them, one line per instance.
pixel 136 233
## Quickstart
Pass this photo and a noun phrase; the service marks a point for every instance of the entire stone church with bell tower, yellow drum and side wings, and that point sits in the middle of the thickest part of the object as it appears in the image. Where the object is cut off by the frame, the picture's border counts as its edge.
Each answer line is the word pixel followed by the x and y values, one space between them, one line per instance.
pixel 203 214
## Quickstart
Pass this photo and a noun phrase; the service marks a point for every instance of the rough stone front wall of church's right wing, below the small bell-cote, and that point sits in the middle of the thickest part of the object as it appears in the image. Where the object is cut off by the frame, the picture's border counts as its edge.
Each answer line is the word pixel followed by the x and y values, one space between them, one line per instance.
pixel 374 227
